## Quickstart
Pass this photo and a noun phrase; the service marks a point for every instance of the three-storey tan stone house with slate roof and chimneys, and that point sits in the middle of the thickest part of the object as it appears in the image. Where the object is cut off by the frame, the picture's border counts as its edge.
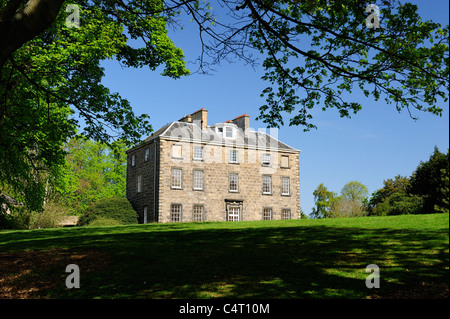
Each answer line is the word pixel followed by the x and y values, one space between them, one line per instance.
pixel 188 171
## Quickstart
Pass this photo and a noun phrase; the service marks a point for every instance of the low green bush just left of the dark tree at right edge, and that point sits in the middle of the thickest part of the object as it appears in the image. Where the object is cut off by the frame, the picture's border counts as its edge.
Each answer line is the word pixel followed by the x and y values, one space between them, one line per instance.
pixel 399 204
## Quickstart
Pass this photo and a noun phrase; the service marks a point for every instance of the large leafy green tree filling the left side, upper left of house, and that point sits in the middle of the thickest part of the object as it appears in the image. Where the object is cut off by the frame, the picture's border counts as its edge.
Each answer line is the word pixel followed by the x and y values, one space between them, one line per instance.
pixel 50 80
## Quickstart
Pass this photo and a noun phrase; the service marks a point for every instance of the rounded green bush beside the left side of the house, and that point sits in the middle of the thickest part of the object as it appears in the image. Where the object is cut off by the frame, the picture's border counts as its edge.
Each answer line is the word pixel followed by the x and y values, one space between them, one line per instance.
pixel 113 208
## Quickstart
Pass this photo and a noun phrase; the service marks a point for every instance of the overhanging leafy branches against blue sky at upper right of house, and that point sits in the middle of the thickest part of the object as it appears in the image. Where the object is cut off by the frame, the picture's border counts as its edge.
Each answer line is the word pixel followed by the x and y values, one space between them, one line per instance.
pixel 316 50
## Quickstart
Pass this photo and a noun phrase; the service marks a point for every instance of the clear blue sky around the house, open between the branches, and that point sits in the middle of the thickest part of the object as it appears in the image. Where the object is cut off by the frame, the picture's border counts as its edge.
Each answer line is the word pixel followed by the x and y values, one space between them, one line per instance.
pixel 375 144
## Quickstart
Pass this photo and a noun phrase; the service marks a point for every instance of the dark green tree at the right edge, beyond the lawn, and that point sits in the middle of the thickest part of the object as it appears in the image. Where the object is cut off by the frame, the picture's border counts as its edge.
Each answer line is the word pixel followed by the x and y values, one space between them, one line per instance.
pixel 430 180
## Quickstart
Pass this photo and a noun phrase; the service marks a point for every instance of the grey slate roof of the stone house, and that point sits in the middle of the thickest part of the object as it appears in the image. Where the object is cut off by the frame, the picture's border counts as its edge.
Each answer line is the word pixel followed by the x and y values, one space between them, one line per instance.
pixel 192 132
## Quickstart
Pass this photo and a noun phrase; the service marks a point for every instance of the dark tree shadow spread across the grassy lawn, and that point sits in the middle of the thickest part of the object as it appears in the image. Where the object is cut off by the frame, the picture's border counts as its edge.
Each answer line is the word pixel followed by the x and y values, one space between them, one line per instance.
pixel 271 262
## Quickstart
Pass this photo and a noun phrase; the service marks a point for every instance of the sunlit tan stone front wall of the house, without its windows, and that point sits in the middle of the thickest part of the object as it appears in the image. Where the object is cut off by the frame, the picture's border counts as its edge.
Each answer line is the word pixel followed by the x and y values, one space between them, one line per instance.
pixel 216 170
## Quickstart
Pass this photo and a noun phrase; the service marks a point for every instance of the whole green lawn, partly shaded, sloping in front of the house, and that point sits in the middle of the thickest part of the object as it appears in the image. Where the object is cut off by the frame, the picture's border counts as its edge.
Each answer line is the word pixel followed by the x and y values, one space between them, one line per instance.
pixel 264 259
